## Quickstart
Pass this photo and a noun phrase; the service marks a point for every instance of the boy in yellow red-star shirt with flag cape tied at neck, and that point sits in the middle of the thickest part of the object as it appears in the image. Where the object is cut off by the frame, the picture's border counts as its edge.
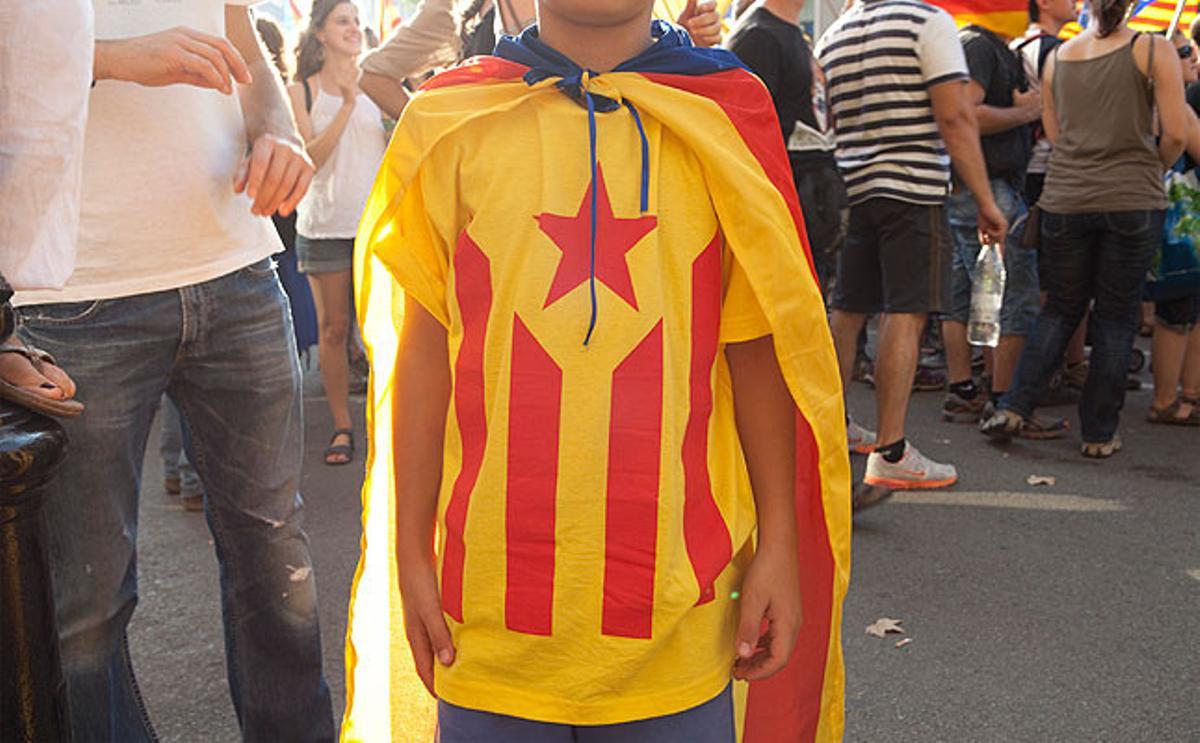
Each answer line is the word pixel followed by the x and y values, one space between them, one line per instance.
pixel 577 250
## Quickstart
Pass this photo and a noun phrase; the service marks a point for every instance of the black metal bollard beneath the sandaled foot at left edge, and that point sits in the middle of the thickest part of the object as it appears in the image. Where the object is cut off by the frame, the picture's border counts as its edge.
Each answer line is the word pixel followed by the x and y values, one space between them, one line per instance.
pixel 33 693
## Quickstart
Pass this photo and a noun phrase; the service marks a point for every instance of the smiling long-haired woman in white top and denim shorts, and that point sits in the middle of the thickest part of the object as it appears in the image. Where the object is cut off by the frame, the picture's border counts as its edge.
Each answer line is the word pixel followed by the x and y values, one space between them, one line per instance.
pixel 346 139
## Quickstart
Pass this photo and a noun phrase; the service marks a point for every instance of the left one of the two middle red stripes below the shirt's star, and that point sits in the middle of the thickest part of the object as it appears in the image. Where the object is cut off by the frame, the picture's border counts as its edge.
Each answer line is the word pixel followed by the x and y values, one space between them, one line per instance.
pixel 535 408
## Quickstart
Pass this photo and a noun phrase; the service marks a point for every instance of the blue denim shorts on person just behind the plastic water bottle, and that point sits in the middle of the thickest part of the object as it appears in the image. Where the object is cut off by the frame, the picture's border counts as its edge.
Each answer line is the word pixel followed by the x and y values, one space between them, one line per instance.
pixel 1021 303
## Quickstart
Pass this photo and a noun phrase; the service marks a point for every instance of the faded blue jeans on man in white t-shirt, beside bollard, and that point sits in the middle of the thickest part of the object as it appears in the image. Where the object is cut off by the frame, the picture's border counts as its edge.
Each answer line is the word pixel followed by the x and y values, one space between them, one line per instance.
pixel 225 352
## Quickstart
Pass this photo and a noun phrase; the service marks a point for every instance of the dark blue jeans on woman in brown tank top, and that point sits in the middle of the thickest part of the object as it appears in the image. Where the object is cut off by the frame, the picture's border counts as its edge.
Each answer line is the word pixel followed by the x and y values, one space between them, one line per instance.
pixel 1101 256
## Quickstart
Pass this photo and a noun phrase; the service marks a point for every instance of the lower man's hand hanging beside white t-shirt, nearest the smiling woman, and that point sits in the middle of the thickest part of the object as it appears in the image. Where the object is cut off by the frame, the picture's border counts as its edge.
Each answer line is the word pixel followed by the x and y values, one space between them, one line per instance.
pixel 277 175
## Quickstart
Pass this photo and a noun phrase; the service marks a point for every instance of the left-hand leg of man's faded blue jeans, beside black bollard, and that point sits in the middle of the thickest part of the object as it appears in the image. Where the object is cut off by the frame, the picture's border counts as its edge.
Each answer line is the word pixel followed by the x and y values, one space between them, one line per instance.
pixel 121 353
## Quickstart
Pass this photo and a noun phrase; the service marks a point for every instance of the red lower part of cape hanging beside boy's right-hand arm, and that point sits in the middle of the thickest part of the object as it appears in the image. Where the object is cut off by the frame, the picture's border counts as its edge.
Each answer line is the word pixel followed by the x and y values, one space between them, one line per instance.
pixel 791 700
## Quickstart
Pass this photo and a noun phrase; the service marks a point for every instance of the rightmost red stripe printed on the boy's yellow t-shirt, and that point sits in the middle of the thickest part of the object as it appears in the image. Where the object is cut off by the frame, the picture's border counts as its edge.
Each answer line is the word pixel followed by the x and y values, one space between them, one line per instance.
pixel 707 538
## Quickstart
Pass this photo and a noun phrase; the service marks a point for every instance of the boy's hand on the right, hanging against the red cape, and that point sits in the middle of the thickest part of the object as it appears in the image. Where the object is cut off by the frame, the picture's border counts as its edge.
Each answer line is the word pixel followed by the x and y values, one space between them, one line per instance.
pixel 771 597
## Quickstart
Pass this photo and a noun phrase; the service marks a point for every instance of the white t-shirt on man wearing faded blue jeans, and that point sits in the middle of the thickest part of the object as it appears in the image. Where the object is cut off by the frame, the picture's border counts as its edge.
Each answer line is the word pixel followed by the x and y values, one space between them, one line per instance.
pixel 159 209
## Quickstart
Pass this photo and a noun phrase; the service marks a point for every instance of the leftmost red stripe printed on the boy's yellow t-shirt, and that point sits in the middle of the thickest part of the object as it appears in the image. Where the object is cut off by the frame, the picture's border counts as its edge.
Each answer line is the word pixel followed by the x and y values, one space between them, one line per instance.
pixel 473 289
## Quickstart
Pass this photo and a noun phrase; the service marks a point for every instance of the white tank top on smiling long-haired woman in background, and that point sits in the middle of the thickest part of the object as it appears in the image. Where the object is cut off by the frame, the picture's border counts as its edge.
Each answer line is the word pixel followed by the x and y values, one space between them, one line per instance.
pixel 341 187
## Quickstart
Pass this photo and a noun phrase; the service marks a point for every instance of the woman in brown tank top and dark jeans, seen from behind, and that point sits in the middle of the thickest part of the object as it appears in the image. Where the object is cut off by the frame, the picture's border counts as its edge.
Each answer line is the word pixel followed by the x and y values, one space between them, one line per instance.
pixel 1103 212
